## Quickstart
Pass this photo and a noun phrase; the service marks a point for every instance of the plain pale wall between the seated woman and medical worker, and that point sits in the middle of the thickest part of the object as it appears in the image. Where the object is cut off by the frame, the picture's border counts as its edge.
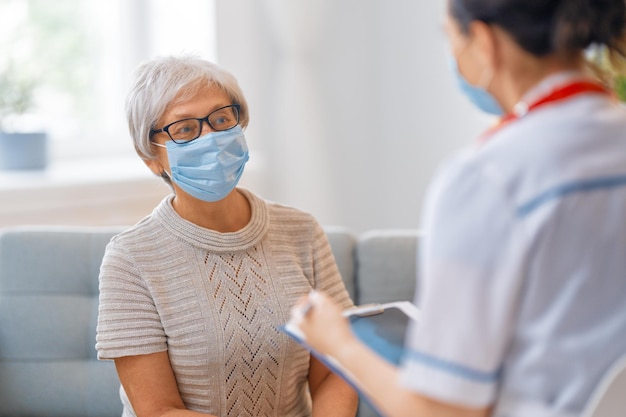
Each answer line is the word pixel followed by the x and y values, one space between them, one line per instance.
pixel 352 104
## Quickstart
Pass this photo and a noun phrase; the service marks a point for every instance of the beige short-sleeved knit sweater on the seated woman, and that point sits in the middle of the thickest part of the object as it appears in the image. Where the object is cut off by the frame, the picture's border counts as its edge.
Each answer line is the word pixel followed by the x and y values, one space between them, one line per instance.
pixel 214 302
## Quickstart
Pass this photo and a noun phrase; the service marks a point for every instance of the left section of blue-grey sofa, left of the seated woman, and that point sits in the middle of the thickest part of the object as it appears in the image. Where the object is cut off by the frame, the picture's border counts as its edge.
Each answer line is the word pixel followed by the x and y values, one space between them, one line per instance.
pixel 48 310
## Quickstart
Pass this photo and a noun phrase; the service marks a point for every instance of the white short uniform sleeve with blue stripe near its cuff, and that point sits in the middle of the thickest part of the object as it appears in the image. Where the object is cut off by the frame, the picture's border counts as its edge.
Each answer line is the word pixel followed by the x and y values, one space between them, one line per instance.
pixel 470 264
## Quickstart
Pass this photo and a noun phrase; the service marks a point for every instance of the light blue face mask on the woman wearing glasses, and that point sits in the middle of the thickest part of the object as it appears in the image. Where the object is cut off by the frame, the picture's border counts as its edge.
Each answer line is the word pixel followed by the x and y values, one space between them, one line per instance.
pixel 209 167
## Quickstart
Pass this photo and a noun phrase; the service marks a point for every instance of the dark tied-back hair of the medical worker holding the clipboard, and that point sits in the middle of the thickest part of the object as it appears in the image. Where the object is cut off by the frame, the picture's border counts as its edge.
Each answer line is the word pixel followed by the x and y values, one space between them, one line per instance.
pixel 543 27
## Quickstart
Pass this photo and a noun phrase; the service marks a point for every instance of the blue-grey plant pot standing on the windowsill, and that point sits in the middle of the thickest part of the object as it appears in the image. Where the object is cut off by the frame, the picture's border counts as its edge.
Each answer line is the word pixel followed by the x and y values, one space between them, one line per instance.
pixel 23 151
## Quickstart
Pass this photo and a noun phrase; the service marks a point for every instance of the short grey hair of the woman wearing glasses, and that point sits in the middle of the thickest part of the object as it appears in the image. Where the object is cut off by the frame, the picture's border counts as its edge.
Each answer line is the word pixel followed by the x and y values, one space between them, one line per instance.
pixel 164 81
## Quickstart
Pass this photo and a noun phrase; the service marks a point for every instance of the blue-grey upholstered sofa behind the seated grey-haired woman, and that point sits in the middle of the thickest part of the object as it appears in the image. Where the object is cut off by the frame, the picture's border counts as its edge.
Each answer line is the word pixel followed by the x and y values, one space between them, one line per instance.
pixel 49 302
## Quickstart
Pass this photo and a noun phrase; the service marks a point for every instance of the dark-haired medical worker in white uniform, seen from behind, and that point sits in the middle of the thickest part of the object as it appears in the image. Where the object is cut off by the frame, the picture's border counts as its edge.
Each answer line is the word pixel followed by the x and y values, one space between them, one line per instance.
pixel 524 256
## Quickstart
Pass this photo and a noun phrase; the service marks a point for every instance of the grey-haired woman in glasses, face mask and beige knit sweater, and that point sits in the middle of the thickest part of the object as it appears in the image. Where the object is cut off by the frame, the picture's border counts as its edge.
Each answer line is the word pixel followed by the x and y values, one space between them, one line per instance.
pixel 191 296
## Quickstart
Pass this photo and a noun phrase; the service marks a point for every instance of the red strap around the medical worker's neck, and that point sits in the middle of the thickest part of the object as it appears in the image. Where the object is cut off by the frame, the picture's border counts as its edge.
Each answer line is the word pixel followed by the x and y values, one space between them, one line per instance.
pixel 561 93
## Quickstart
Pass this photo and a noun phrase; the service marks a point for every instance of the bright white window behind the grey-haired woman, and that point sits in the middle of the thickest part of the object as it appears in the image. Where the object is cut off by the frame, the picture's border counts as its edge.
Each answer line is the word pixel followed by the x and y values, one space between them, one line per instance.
pixel 79 55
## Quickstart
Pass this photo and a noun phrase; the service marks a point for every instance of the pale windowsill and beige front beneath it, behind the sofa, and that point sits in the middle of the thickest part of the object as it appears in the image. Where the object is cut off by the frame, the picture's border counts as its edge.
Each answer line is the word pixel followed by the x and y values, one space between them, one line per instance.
pixel 111 191
